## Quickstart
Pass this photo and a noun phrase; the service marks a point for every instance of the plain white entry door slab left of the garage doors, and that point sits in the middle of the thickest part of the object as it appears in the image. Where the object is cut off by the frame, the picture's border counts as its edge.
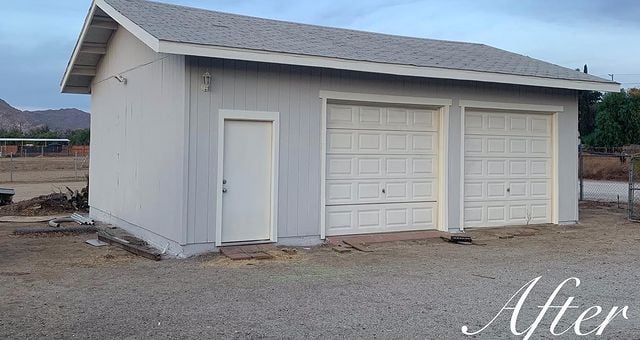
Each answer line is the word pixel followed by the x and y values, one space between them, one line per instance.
pixel 247 181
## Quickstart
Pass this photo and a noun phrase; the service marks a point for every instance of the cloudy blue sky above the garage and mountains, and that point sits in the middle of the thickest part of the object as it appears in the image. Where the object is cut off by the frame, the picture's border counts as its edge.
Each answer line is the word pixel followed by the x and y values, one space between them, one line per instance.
pixel 37 36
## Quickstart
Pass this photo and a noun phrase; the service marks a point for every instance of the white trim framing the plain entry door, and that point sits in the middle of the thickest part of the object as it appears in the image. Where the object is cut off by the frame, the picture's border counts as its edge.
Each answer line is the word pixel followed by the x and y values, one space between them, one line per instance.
pixel 260 116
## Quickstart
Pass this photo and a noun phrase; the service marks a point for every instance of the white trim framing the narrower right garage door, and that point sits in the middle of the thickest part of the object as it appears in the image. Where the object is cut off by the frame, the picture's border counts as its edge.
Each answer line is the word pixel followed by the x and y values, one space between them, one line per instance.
pixel 552 110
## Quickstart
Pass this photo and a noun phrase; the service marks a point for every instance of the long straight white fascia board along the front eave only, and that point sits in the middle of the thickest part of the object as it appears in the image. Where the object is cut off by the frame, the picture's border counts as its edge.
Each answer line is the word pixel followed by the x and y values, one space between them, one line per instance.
pixel 172 47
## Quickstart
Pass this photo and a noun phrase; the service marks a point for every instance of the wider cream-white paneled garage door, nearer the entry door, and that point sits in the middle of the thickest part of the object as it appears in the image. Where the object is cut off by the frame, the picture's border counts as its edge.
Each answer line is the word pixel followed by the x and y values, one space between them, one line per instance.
pixel 380 169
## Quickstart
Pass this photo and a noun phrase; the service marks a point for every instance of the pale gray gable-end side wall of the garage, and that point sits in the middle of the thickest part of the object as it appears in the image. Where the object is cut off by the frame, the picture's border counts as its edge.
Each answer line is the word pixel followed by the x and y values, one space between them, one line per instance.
pixel 138 138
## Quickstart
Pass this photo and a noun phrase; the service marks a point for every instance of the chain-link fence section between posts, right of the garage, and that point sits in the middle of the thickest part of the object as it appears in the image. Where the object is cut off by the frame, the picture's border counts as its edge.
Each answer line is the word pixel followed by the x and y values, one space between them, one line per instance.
pixel 604 175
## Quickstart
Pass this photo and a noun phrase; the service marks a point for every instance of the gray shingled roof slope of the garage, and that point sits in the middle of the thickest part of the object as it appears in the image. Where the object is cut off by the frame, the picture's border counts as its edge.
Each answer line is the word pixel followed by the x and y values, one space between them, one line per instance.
pixel 197 26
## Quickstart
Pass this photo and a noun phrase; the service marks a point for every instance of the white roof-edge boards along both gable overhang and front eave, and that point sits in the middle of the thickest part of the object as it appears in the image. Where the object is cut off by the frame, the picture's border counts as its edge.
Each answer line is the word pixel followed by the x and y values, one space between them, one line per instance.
pixel 180 48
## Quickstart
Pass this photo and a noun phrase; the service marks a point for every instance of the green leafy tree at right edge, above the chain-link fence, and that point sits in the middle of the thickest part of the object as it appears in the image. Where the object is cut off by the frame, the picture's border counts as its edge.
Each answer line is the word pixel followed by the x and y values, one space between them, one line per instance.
pixel 617 120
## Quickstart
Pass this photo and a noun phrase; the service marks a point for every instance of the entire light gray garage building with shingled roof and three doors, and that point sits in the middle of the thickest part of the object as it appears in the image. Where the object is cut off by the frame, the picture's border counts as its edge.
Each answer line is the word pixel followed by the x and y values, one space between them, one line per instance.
pixel 210 129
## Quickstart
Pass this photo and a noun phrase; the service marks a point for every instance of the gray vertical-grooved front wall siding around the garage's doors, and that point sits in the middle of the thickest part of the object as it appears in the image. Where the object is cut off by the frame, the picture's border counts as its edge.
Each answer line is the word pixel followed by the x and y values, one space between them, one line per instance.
pixel 294 92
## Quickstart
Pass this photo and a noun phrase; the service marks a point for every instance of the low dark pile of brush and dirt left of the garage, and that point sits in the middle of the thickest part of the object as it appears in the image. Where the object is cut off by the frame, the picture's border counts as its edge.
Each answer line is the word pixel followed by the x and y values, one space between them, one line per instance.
pixel 51 204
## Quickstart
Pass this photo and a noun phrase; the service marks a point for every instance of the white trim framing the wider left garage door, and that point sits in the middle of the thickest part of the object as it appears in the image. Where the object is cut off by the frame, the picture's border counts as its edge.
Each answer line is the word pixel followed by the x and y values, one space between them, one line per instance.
pixel 444 106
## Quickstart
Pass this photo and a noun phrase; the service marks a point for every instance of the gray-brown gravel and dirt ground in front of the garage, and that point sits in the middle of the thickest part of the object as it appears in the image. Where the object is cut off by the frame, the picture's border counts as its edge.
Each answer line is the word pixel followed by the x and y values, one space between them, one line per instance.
pixel 60 287
